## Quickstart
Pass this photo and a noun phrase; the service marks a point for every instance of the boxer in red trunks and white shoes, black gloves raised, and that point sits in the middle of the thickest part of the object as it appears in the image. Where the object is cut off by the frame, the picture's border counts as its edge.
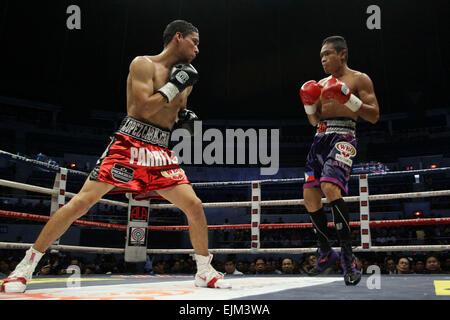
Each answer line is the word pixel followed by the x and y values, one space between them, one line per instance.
pixel 138 159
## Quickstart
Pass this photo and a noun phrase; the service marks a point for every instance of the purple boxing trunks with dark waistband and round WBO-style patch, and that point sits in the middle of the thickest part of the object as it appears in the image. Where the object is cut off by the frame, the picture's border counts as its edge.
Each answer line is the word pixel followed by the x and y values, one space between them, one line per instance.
pixel 332 152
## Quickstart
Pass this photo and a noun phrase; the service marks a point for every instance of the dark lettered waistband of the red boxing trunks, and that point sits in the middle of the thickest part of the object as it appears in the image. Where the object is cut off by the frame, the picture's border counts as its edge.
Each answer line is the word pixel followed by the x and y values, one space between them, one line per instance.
pixel 144 132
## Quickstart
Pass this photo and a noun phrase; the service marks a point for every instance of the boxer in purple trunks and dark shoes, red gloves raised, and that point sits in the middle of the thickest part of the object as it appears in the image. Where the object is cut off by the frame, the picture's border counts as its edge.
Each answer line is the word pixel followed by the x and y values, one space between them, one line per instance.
pixel 333 106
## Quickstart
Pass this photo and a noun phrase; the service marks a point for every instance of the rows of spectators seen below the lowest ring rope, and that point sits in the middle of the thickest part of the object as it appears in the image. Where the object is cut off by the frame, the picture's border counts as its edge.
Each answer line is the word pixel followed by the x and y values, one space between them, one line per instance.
pixel 386 263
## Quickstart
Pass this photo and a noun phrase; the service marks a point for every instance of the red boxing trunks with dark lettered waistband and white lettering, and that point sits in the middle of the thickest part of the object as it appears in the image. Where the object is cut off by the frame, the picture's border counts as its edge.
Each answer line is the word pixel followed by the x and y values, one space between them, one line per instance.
pixel 139 161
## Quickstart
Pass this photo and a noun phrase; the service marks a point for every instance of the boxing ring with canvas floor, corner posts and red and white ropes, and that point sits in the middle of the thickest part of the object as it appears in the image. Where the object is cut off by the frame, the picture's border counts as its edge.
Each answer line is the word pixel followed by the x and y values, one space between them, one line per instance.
pixel 247 287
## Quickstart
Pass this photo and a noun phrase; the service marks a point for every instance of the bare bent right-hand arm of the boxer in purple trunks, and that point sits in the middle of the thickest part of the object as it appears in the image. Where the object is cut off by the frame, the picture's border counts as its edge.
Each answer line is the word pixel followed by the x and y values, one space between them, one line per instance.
pixel 369 110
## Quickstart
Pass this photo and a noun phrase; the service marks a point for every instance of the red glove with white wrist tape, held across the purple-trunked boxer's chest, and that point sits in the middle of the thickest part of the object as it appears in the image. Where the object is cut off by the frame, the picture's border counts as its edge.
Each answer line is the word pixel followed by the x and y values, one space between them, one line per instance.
pixel 337 90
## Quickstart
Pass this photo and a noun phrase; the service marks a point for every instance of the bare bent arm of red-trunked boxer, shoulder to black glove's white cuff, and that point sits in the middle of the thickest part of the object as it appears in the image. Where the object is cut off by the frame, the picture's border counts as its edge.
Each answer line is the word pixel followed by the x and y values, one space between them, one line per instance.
pixel 142 71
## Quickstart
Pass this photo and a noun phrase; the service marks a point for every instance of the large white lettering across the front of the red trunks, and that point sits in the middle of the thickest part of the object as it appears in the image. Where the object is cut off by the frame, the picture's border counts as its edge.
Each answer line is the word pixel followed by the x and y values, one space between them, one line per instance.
pixel 146 158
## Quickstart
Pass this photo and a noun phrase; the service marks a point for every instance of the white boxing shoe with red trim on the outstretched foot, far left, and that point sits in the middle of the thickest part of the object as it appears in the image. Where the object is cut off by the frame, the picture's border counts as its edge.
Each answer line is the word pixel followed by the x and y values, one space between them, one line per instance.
pixel 18 279
